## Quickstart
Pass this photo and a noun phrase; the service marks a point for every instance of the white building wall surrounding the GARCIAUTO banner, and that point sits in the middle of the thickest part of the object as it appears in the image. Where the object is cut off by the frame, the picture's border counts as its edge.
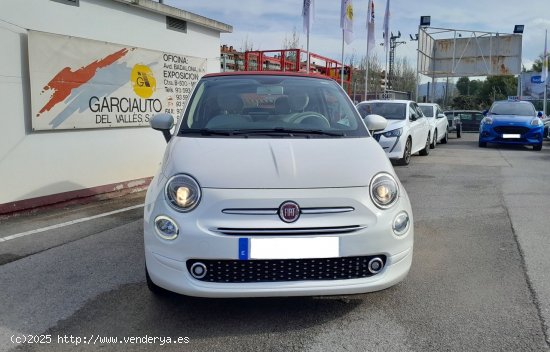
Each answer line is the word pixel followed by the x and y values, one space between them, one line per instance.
pixel 35 164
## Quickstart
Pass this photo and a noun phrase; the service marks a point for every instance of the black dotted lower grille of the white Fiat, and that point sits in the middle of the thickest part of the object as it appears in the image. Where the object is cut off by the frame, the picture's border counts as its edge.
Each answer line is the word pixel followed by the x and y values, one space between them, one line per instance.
pixel 278 270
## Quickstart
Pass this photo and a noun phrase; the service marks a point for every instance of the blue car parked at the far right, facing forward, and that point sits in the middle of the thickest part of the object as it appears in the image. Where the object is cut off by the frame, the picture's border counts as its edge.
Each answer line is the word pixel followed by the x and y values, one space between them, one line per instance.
pixel 512 122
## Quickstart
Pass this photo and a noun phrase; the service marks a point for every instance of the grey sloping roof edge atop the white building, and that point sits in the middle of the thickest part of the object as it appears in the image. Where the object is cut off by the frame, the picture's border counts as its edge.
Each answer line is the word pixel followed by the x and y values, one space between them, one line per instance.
pixel 163 9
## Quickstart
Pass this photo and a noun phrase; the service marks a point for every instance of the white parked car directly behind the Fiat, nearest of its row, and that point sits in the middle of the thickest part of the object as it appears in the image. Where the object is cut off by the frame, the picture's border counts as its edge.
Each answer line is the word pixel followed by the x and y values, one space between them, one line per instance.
pixel 408 131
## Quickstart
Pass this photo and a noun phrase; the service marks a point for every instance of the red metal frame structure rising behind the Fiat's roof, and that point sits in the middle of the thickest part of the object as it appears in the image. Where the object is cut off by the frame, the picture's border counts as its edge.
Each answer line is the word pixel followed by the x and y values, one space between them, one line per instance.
pixel 295 60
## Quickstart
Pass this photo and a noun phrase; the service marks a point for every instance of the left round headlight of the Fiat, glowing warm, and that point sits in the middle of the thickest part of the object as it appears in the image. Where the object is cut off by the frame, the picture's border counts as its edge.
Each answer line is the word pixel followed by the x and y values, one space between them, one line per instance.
pixel 183 193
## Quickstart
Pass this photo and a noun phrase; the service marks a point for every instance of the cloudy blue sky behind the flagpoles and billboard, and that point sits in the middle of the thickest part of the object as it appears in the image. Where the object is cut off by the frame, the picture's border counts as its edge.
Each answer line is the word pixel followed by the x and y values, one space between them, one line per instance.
pixel 266 23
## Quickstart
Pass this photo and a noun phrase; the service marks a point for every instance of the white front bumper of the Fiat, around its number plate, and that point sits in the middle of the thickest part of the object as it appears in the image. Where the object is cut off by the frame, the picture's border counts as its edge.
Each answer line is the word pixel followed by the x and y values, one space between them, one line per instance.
pixel 200 239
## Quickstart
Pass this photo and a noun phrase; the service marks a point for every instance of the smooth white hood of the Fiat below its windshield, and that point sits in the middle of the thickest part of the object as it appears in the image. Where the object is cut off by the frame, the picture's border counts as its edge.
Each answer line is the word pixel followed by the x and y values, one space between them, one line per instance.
pixel 276 163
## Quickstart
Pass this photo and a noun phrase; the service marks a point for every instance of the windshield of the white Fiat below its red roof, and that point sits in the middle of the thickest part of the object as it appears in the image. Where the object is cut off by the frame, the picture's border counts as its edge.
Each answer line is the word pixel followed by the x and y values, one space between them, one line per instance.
pixel 272 106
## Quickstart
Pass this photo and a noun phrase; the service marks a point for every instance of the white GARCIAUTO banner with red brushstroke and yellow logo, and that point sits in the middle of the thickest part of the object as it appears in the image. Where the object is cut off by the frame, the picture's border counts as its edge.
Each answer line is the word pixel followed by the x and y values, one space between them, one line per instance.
pixel 81 83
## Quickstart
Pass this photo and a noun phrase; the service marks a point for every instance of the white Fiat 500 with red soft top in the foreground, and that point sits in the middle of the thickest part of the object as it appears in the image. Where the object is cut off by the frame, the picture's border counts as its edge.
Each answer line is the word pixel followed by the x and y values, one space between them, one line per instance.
pixel 272 185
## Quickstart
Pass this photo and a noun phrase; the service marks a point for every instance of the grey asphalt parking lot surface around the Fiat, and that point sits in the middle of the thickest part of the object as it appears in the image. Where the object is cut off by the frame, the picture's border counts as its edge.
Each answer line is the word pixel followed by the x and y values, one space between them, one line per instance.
pixel 480 279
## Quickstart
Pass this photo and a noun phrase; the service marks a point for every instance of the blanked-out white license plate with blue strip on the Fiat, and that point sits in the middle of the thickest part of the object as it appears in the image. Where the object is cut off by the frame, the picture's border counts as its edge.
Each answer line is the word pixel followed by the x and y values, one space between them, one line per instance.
pixel 293 248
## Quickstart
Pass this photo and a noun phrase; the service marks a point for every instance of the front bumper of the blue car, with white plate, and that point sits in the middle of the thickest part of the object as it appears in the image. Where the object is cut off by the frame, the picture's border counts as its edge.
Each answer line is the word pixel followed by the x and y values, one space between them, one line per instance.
pixel 515 135
